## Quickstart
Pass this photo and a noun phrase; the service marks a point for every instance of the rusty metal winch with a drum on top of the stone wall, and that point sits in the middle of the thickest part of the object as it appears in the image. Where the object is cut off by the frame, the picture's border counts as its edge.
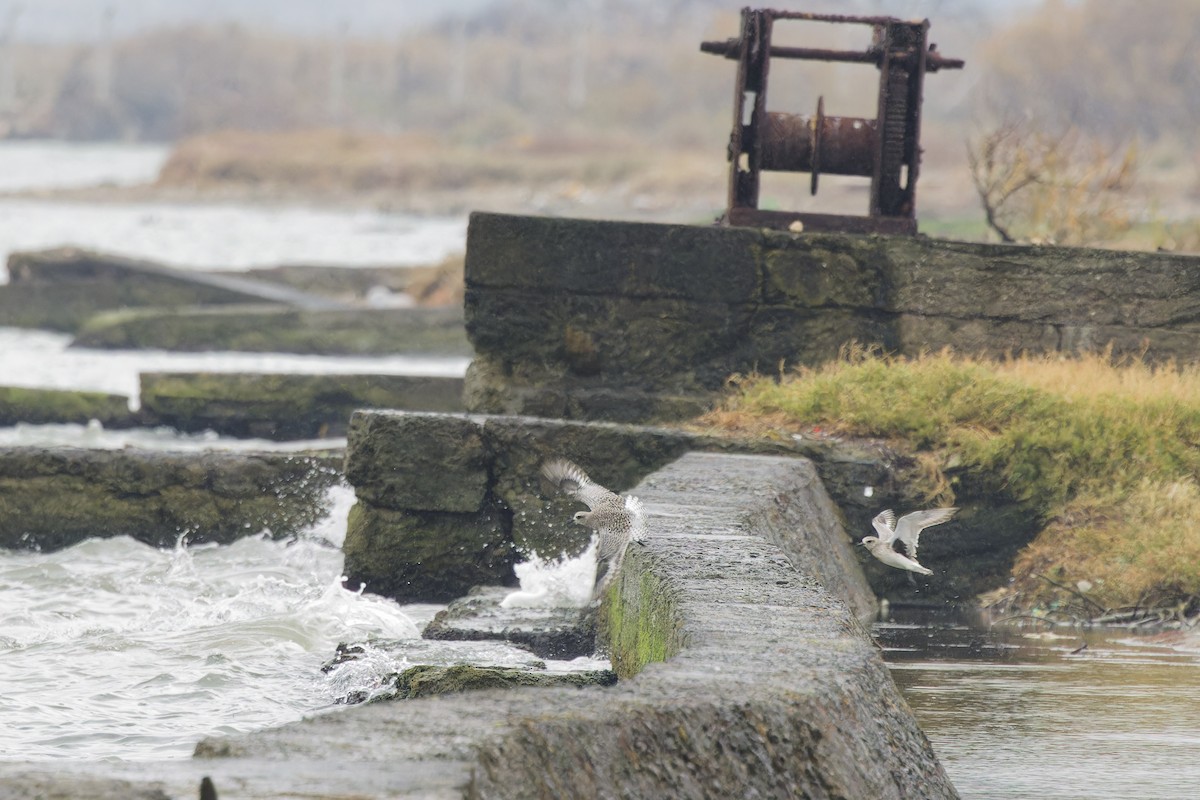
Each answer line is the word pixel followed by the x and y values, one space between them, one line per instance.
pixel 886 149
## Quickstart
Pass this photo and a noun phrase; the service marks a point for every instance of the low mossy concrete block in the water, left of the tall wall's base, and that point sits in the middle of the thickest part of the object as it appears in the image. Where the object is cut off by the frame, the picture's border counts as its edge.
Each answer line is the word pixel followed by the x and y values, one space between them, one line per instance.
pixel 285 406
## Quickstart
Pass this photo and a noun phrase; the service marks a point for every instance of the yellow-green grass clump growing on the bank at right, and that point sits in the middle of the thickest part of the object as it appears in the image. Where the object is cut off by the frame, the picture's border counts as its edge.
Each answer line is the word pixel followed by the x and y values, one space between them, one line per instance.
pixel 1106 453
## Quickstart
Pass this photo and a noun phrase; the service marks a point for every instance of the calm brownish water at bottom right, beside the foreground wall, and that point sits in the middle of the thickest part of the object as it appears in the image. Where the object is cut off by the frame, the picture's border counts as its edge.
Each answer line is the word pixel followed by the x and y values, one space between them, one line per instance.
pixel 1030 715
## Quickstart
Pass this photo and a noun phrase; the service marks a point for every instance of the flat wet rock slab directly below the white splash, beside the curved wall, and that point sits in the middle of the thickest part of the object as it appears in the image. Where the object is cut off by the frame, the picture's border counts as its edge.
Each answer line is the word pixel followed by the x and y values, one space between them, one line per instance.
pixel 561 634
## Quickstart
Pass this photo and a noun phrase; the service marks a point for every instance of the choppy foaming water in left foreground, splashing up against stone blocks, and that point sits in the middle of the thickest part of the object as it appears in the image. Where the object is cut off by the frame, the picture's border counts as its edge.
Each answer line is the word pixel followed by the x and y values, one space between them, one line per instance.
pixel 113 649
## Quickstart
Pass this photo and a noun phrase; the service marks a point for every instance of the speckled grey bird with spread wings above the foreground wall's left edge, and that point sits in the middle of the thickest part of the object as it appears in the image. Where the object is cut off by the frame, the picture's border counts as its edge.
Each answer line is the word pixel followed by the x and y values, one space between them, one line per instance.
pixel 617 520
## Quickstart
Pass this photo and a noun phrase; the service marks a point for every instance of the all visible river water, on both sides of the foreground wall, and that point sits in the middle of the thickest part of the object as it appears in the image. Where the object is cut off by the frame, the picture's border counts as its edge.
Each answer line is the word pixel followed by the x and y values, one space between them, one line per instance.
pixel 116 652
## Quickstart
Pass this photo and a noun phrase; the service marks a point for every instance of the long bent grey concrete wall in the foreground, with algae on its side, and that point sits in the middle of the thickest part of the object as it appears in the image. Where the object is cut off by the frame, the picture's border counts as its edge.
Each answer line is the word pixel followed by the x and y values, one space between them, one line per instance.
pixel 748 675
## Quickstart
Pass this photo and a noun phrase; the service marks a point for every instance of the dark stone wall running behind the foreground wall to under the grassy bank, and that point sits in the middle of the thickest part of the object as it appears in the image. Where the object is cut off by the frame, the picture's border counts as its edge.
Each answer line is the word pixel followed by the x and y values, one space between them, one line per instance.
pixel 448 503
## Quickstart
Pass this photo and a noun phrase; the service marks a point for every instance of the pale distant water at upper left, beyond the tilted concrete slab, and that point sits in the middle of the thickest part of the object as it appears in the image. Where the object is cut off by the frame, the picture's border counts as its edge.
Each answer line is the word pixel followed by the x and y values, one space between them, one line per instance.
pixel 213 237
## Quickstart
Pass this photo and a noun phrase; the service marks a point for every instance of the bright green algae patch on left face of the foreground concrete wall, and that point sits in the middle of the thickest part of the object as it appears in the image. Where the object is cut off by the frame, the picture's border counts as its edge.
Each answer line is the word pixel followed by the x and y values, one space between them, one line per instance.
pixel 640 619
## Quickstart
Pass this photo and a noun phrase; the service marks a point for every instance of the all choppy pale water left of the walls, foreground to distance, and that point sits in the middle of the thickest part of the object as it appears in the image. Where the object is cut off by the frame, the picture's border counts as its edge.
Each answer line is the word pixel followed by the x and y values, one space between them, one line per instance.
pixel 116 651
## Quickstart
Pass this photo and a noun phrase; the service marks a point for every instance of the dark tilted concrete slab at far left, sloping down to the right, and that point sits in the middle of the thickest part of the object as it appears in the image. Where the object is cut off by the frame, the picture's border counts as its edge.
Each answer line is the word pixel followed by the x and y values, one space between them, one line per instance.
pixel 62 288
